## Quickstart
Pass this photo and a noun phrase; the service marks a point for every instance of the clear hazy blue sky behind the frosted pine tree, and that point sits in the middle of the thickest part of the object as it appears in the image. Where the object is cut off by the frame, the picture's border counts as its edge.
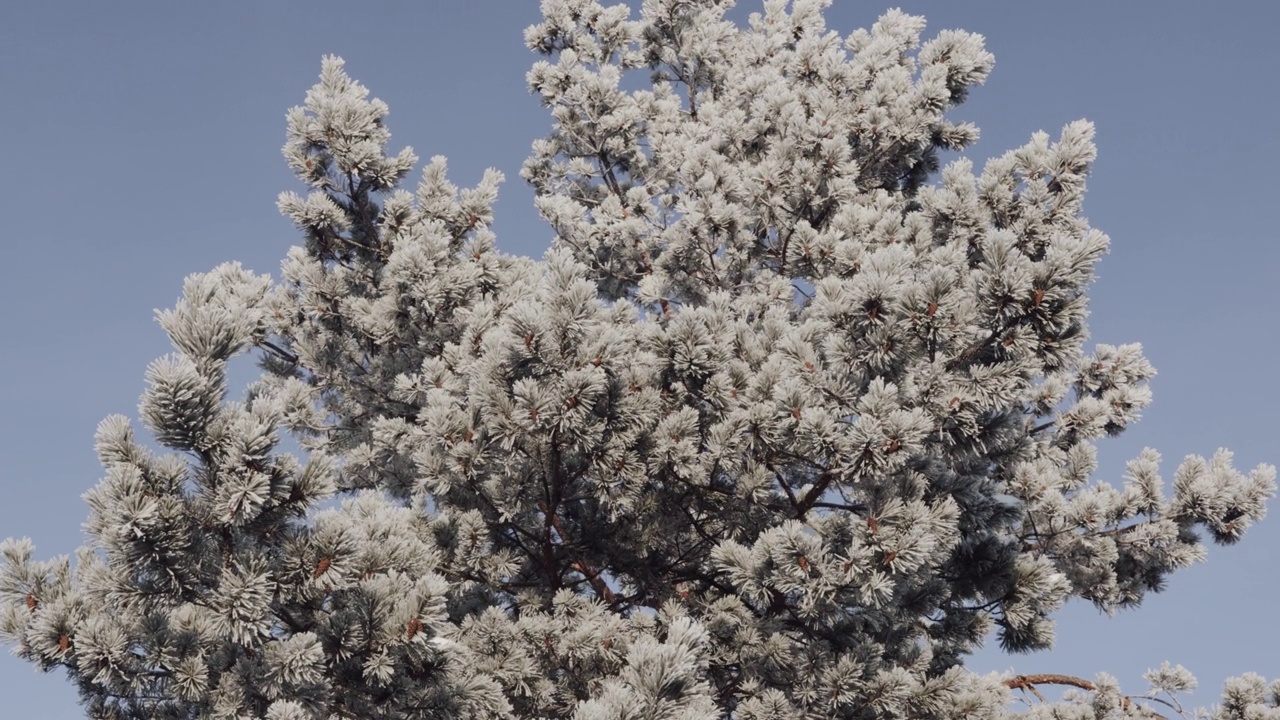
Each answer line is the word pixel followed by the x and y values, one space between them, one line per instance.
pixel 143 144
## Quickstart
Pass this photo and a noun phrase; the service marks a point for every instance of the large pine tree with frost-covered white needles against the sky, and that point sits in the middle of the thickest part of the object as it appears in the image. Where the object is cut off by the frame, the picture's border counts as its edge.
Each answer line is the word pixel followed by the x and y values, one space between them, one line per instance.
pixel 785 425
